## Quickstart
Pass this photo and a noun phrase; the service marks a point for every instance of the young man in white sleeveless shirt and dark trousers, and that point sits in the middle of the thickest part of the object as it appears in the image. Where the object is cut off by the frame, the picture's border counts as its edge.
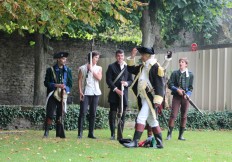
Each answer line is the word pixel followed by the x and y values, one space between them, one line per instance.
pixel 89 76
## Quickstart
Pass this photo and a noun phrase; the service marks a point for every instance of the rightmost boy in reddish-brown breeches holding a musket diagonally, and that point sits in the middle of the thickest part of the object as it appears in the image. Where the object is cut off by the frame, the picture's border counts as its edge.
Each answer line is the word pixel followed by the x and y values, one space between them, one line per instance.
pixel 181 84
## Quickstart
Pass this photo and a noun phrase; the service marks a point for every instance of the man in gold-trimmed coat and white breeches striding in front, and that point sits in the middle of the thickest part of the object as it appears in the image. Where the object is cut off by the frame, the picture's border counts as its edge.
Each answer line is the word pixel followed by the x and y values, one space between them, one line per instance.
pixel 148 86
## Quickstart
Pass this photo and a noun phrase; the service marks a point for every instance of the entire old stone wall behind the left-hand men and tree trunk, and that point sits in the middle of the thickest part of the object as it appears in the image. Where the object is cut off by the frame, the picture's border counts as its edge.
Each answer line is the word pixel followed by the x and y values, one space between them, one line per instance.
pixel 17 64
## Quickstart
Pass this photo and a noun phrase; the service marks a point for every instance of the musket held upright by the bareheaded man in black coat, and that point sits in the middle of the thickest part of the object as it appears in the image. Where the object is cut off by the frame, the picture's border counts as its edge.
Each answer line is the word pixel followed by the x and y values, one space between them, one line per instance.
pixel 120 122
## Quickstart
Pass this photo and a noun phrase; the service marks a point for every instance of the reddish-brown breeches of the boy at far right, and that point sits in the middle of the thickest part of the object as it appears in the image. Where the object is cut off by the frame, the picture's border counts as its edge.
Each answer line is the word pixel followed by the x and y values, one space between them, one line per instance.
pixel 183 104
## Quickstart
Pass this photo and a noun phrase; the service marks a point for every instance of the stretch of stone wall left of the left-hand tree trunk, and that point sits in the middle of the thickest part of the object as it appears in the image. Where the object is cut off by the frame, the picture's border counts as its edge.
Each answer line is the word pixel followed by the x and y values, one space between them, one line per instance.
pixel 16 70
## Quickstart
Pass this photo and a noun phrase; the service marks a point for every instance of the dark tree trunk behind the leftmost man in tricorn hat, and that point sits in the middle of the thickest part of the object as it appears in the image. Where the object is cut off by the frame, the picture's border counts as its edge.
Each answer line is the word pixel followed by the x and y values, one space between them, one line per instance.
pixel 40 52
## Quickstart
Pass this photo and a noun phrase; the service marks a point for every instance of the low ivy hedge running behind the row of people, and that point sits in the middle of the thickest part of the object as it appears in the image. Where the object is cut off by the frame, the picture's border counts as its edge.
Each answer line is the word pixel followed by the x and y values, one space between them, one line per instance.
pixel 36 115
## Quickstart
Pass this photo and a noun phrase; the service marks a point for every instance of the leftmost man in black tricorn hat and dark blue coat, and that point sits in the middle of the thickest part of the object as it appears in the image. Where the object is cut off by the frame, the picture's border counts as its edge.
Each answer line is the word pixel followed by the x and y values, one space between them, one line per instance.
pixel 58 80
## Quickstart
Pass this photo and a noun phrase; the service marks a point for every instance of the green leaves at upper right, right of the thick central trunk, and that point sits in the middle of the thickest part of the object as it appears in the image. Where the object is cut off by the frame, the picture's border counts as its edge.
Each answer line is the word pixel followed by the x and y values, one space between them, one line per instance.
pixel 199 16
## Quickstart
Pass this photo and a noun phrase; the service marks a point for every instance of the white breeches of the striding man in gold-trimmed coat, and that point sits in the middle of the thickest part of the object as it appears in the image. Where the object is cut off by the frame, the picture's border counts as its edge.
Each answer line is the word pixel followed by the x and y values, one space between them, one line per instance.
pixel 146 115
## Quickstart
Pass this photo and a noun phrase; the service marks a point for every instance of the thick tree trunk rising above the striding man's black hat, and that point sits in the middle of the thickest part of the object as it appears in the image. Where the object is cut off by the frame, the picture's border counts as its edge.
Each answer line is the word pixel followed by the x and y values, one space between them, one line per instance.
pixel 150 29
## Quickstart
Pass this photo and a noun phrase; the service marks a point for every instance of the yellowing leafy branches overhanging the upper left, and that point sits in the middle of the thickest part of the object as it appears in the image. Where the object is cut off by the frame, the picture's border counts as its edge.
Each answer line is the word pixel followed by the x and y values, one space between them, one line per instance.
pixel 58 17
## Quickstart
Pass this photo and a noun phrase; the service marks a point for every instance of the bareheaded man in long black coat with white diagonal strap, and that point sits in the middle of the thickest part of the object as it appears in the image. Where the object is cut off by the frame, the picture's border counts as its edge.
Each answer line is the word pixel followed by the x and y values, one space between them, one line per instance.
pixel 116 76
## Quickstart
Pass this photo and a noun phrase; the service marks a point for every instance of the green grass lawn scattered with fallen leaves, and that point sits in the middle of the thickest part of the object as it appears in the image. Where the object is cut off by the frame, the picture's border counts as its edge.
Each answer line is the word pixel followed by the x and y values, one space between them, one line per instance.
pixel 200 146
